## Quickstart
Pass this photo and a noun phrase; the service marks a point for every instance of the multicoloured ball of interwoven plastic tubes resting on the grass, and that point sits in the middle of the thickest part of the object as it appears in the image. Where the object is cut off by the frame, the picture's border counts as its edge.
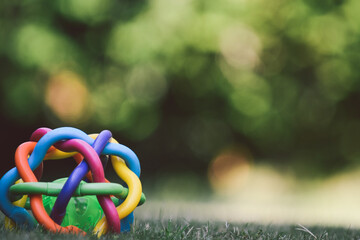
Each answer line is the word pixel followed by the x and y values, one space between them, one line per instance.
pixel 85 200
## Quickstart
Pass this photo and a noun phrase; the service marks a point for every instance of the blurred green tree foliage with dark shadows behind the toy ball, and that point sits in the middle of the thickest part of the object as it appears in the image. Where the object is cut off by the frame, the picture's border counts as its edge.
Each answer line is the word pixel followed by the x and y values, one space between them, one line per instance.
pixel 184 79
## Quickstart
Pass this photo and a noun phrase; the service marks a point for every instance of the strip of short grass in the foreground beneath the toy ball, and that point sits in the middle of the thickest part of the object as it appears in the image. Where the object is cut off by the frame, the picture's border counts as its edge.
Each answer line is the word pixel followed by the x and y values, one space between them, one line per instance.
pixel 181 229
